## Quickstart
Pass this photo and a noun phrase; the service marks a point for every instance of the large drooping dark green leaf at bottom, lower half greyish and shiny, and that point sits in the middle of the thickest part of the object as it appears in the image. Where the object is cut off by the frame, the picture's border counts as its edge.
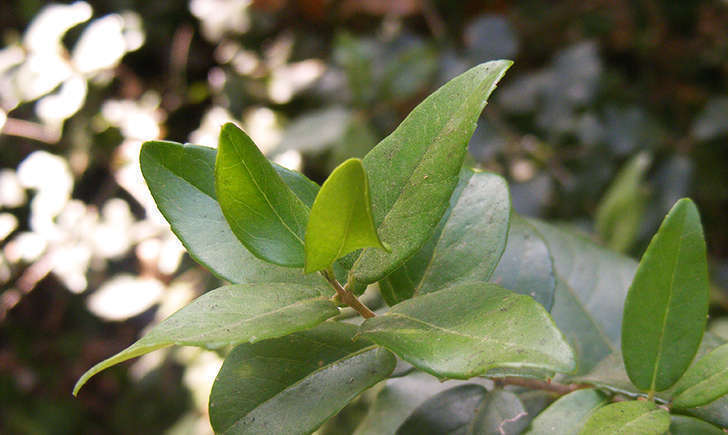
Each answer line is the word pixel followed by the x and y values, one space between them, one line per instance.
pixel 295 383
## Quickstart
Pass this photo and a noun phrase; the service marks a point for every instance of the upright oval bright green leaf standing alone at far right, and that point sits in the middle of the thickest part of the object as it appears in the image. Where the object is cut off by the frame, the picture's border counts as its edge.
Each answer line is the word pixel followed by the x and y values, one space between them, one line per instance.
pixel 667 305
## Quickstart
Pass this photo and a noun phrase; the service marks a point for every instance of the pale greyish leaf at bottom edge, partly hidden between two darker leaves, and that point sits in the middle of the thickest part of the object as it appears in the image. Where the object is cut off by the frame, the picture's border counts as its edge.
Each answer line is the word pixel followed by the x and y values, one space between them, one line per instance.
pixel 398 399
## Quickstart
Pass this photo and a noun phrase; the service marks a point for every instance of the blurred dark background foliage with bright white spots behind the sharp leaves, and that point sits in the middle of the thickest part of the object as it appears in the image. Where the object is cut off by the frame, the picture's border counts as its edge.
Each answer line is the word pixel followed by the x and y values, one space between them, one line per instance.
pixel 612 111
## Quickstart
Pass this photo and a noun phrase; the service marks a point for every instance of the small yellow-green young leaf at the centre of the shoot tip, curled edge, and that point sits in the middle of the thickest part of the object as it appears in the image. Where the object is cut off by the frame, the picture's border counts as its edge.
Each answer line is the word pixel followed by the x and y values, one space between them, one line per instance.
pixel 341 218
